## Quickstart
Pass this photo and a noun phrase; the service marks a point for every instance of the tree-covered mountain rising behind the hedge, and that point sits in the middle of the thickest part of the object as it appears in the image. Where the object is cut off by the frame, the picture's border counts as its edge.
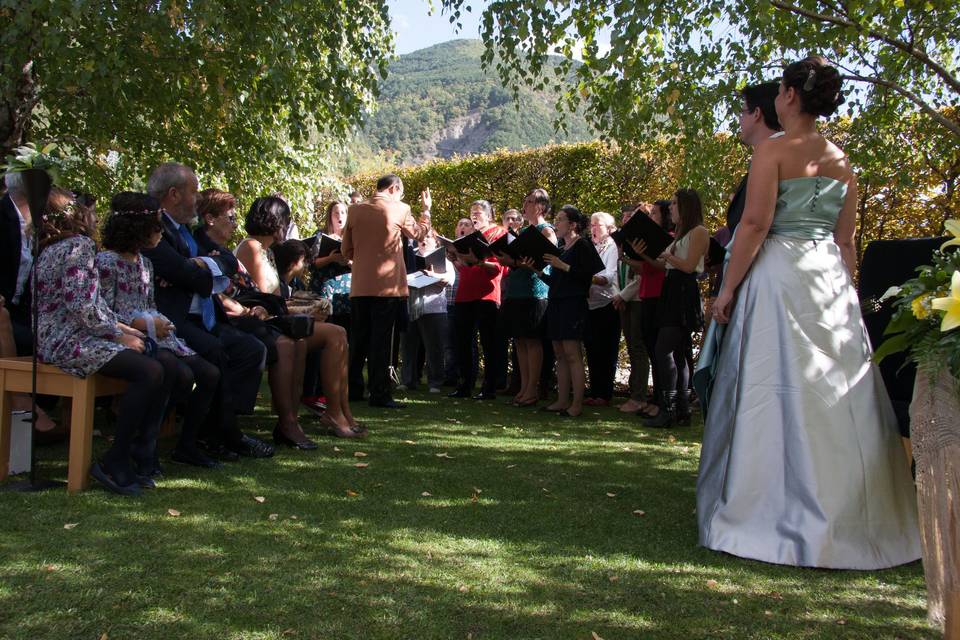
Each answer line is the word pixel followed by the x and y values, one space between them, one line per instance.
pixel 438 102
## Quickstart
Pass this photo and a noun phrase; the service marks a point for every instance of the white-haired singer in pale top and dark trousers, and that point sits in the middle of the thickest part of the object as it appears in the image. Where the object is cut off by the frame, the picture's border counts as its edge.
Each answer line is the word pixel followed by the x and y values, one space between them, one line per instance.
pixel 601 339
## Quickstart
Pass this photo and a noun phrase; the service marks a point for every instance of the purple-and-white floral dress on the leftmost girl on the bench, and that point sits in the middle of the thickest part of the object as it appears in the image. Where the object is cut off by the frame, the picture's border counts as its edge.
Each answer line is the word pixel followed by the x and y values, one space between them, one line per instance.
pixel 76 330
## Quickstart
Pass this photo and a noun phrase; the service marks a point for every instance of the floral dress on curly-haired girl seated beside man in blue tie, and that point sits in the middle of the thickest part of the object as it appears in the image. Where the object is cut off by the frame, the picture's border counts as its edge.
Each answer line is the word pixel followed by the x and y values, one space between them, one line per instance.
pixel 127 288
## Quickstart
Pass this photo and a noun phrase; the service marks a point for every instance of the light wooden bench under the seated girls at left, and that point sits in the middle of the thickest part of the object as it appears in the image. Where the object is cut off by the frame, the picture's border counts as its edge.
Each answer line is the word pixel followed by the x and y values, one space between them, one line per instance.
pixel 16 377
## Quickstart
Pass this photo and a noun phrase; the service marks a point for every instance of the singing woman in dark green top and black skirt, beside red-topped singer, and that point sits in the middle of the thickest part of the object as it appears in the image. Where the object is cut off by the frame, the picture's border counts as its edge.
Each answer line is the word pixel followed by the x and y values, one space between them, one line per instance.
pixel 525 303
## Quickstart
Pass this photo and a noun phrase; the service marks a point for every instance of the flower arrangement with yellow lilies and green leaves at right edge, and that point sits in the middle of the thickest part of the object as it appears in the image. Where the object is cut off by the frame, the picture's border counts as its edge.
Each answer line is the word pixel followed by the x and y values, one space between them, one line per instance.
pixel 926 317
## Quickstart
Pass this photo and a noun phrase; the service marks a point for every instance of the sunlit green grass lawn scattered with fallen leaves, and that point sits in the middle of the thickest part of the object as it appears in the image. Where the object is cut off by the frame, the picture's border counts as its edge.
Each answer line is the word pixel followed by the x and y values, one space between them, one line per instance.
pixel 470 520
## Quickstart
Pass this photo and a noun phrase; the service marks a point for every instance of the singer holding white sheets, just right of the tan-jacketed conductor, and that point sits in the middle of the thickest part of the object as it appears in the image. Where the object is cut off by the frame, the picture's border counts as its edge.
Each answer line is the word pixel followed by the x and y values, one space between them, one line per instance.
pixel 427 324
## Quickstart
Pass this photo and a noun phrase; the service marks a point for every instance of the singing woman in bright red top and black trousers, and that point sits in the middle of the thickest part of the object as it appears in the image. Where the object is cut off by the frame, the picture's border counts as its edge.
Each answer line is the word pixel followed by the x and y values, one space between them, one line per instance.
pixel 478 298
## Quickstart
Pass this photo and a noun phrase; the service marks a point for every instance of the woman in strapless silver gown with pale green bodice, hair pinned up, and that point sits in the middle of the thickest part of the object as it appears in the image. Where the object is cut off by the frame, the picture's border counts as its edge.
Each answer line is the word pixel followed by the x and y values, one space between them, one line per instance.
pixel 801 462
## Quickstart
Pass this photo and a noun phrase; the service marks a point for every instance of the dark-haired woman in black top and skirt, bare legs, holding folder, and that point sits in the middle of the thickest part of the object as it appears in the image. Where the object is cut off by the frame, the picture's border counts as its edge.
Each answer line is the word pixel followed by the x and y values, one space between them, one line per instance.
pixel 569 277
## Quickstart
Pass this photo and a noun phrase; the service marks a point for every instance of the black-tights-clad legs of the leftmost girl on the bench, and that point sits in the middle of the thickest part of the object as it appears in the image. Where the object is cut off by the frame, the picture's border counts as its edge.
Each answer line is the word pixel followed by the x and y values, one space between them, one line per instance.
pixel 141 408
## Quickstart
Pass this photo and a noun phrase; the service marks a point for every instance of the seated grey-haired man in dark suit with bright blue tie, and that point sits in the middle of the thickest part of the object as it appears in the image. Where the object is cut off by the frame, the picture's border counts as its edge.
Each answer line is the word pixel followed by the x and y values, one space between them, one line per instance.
pixel 187 277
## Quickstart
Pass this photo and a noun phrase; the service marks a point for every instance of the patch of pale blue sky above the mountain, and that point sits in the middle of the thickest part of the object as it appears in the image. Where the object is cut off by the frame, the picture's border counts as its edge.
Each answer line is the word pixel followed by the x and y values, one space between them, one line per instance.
pixel 416 29
